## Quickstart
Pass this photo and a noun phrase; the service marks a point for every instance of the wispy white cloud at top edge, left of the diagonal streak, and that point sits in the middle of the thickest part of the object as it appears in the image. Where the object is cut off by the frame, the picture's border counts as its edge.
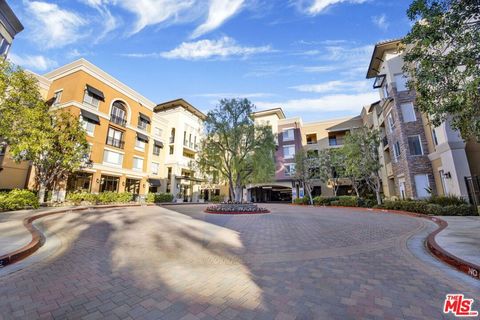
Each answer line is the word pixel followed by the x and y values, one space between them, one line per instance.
pixel 152 12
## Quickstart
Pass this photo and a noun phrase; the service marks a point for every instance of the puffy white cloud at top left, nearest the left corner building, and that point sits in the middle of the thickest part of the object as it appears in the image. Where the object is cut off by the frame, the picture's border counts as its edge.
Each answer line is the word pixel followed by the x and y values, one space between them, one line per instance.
pixel 54 27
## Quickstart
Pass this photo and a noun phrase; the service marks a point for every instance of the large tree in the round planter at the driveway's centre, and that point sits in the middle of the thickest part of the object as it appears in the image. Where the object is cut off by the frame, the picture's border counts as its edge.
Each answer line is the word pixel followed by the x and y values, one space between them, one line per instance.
pixel 235 148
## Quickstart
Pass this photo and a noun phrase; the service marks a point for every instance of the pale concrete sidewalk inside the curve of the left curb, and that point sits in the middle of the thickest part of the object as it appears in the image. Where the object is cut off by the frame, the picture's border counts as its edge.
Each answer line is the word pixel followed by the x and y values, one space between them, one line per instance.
pixel 13 234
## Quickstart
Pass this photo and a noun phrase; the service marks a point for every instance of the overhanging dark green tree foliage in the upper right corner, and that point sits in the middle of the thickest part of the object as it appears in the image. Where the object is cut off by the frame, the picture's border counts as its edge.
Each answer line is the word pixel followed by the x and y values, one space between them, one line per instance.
pixel 442 61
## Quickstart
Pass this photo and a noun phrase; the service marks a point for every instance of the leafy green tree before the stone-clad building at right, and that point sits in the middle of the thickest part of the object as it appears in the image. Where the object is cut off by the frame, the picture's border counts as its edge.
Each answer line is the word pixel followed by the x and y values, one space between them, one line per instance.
pixel 362 161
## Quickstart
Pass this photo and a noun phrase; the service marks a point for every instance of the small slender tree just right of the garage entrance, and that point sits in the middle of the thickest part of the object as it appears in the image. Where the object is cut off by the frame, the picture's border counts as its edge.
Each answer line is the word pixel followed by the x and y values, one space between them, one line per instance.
pixel 307 171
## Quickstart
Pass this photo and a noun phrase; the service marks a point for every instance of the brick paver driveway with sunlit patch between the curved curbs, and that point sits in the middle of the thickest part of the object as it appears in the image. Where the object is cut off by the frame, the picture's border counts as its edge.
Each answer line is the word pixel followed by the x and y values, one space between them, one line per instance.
pixel 295 263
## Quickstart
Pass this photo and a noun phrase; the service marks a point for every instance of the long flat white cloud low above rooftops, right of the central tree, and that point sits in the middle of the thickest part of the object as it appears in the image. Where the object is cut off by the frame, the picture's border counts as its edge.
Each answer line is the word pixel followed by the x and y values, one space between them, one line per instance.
pixel 351 103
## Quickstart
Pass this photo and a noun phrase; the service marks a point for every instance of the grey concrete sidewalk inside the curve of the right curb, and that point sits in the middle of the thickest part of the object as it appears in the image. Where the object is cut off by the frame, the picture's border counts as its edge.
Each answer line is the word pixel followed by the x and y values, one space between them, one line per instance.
pixel 461 238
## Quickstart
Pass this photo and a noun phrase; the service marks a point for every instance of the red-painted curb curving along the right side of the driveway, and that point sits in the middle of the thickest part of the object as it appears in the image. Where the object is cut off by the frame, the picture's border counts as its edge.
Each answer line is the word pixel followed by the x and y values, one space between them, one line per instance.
pixel 461 265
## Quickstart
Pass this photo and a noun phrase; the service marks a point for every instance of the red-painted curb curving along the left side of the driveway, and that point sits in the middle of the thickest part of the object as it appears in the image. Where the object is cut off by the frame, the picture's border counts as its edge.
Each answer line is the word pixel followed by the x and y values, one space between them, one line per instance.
pixel 38 238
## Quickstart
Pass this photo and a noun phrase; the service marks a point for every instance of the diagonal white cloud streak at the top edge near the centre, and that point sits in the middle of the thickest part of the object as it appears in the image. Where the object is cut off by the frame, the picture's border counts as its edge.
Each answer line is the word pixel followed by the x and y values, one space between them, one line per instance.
pixel 218 12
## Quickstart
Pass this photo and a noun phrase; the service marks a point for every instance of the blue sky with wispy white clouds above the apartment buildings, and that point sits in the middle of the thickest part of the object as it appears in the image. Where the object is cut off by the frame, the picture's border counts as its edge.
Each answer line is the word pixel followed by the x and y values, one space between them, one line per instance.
pixel 309 57
